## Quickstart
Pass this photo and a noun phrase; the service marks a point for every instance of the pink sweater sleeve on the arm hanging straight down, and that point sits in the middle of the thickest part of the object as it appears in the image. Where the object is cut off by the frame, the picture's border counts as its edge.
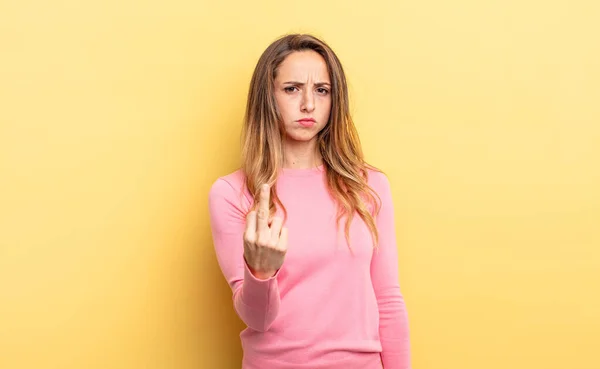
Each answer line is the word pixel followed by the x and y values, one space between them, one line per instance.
pixel 393 317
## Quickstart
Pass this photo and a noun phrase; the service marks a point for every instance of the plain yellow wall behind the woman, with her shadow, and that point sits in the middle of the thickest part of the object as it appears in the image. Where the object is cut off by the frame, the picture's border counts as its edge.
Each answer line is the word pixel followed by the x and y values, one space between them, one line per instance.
pixel 117 116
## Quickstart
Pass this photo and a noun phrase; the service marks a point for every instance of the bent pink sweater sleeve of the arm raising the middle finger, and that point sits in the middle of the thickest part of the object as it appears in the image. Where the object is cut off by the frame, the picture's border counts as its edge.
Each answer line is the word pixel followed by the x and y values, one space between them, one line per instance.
pixel 255 301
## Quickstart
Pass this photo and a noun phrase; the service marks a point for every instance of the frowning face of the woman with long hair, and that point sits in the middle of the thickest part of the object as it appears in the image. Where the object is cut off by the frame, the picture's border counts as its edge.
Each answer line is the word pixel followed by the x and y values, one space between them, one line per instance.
pixel 303 94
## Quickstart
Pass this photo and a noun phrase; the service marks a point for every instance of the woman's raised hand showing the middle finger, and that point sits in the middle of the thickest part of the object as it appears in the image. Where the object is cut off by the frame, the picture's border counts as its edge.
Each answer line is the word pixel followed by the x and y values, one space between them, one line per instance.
pixel 264 246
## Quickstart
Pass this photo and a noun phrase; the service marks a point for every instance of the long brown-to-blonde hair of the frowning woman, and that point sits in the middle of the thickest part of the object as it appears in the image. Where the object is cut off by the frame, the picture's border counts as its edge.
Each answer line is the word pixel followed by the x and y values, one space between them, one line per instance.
pixel 338 141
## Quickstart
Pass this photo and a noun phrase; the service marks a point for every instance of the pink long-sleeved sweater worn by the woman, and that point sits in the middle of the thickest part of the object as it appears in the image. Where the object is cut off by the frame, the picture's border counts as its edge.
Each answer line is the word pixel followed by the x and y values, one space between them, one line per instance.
pixel 326 308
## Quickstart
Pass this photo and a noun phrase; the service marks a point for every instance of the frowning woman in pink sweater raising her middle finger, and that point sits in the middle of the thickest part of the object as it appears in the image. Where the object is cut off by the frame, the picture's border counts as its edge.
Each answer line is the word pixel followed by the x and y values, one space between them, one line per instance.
pixel 310 298
